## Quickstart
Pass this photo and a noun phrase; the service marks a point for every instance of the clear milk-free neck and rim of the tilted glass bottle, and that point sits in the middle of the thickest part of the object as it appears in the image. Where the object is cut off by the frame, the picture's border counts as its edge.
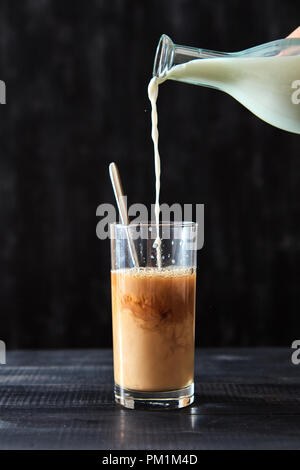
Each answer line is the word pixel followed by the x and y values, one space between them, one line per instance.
pixel 169 54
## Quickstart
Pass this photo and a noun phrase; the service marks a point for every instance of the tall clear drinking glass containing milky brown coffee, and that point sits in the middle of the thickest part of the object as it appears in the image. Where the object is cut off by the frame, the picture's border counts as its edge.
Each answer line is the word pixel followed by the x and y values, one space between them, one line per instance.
pixel 153 311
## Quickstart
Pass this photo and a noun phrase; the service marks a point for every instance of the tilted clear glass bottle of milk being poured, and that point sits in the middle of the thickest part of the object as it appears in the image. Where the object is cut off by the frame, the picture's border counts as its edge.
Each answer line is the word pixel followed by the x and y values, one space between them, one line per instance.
pixel 265 79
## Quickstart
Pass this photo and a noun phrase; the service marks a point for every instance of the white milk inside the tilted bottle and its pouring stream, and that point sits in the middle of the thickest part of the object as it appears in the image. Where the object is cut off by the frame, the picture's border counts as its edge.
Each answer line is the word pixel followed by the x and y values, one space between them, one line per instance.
pixel 267 86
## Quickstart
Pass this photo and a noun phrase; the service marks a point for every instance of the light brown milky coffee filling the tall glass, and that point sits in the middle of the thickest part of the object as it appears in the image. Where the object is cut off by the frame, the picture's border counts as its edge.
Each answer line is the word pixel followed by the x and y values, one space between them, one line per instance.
pixel 153 327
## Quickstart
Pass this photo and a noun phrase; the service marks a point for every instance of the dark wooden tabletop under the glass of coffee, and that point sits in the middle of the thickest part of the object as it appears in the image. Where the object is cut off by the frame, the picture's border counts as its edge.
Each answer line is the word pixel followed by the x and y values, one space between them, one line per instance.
pixel 245 399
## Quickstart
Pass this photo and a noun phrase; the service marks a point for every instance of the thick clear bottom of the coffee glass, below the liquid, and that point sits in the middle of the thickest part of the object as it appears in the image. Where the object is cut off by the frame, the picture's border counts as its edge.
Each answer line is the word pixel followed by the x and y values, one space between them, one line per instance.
pixel 172 399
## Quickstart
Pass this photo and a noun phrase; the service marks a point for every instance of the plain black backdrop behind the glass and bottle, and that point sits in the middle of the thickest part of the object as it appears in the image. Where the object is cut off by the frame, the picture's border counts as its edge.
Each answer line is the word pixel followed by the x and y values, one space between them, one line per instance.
pixel 76 74
